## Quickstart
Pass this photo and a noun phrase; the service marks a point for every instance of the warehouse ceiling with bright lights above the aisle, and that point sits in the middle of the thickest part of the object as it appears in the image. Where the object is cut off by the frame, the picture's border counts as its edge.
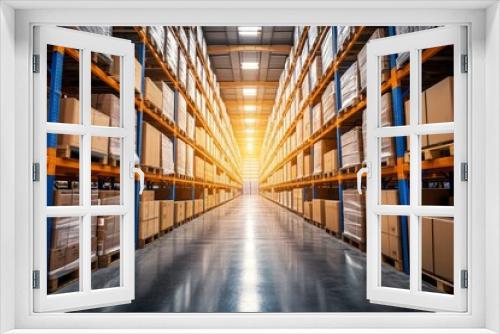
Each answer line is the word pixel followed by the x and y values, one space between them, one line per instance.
pixel 265 49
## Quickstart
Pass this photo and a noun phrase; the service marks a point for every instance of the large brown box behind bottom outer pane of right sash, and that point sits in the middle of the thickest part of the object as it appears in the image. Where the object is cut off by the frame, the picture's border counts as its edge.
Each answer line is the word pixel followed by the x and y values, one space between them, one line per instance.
pixel 442 230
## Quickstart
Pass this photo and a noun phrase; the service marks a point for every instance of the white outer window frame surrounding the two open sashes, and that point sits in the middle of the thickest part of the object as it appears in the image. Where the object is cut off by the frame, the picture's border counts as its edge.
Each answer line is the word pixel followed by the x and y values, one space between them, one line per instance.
pixel 483 122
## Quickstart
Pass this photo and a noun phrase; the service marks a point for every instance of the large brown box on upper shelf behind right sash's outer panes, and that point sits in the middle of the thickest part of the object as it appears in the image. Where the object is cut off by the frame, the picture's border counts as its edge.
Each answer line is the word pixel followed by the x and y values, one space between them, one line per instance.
pixel 439 103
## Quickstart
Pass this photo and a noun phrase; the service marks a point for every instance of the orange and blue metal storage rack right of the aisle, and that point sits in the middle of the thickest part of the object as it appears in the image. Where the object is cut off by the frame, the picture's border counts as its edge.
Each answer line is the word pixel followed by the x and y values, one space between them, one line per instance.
pixel 341 118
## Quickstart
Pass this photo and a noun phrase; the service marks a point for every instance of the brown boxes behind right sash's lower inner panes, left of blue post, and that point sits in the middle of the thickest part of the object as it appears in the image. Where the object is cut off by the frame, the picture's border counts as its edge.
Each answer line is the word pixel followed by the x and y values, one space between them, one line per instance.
pixel 390 227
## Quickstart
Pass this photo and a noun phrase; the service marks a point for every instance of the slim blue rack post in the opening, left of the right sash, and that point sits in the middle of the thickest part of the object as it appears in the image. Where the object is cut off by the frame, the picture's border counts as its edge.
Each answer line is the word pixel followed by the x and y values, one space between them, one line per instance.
pixel 338 105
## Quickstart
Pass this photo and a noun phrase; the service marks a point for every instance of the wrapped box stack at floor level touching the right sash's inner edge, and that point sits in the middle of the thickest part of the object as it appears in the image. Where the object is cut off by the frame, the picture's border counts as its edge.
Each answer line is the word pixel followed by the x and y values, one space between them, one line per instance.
pixel 354 215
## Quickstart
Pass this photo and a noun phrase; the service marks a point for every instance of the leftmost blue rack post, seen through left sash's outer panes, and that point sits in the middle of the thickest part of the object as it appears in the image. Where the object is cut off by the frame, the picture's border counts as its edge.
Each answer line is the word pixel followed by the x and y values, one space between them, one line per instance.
pixel 56 71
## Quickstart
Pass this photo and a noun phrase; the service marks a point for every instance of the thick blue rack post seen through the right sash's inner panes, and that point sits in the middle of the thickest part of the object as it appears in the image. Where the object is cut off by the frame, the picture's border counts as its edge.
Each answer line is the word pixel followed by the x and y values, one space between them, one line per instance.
pixel 403 185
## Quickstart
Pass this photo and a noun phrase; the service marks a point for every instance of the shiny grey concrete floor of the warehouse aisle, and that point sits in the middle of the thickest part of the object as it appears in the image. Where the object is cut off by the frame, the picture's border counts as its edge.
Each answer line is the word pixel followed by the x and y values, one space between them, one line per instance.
pixel 249 255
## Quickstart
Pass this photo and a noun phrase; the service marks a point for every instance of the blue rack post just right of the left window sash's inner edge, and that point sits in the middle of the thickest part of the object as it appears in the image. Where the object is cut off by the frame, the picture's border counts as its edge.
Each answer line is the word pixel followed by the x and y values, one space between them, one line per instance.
pixel 141 57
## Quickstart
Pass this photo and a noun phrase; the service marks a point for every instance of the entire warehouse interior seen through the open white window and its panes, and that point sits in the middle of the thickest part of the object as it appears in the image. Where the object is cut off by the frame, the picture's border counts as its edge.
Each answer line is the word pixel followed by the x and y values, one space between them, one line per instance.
pixel 250 139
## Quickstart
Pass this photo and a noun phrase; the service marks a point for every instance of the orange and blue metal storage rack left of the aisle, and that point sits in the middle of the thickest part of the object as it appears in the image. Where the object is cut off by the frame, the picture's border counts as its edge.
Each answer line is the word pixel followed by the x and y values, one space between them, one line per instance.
pixel 145 52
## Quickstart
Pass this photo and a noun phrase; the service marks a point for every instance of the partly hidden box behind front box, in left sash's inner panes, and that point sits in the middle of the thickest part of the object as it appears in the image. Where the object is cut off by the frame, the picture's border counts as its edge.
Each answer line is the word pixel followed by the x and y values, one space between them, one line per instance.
pixel 109 104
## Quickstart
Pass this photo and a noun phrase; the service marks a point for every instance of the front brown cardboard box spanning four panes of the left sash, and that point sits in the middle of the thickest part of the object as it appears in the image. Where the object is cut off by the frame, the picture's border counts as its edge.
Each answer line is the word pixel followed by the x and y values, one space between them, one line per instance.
pixel 70 113
